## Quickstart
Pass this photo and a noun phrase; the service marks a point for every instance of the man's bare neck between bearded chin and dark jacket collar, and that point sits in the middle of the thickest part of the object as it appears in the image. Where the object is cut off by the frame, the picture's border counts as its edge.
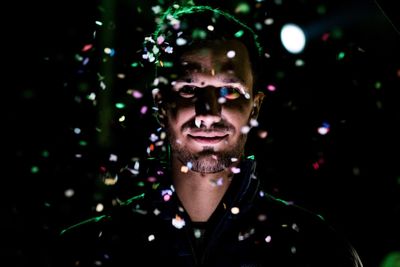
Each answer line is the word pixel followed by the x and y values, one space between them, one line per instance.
pixel 200 193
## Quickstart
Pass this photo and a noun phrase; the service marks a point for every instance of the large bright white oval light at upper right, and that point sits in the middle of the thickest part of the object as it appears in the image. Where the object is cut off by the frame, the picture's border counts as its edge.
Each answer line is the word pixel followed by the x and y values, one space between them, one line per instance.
pixel 293 38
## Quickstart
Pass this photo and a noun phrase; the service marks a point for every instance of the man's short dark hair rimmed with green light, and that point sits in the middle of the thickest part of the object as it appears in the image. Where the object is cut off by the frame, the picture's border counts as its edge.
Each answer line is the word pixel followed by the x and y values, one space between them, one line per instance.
pixel 182 27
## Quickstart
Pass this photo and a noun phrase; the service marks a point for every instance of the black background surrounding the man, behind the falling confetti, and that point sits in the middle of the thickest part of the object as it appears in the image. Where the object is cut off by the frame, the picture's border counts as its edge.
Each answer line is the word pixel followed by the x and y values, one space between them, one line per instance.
pixel 351 175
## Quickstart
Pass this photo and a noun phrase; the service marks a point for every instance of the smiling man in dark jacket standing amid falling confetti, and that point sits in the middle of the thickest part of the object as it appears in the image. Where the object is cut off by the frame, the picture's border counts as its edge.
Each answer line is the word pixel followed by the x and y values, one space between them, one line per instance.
pixel 206 207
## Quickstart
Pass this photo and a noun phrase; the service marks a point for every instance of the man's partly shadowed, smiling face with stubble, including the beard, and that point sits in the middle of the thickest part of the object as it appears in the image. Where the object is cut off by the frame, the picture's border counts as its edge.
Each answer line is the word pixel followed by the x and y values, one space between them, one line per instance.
pixel 210 106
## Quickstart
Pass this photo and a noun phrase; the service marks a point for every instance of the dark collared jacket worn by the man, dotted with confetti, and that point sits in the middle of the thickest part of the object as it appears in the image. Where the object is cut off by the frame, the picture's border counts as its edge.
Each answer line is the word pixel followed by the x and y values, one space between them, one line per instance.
pixel 249 228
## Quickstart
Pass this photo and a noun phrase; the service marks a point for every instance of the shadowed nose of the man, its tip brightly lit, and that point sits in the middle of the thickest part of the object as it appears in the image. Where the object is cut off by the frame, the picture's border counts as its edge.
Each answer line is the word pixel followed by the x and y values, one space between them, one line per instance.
pixel 207 107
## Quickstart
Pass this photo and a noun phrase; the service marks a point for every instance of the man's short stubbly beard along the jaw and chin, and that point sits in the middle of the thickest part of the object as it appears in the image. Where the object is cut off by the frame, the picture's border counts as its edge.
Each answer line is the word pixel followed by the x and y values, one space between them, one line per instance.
pixel 208 160
